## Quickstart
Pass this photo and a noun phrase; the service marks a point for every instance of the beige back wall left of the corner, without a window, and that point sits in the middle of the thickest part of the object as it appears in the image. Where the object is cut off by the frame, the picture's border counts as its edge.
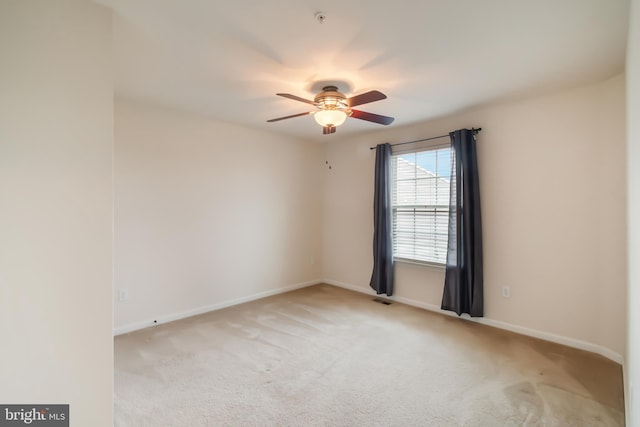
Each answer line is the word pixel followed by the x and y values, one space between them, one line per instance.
pixel 207 213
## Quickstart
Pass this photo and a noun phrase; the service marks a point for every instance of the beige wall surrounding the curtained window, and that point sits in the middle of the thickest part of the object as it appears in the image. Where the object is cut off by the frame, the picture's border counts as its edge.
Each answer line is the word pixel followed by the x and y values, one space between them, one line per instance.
pixel 552 173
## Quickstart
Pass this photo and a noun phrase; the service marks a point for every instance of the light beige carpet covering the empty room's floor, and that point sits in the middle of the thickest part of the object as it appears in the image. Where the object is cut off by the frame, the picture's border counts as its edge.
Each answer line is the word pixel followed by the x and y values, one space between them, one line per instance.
pixel 324 356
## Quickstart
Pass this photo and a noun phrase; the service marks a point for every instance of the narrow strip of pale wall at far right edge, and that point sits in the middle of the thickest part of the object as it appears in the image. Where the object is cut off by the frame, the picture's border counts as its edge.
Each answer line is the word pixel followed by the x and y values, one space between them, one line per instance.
pixel 632 367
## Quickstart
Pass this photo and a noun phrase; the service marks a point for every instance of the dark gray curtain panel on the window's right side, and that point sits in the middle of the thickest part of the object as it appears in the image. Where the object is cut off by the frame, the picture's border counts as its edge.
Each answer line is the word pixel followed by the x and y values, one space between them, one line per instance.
pixel 463 285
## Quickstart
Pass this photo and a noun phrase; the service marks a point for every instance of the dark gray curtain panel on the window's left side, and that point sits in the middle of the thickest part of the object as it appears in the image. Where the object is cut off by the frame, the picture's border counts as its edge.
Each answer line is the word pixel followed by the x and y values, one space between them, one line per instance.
pixel 382 276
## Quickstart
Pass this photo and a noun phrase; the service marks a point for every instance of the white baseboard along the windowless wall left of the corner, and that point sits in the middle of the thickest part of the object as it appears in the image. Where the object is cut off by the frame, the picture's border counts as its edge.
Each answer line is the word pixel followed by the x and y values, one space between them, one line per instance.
pixel 205 309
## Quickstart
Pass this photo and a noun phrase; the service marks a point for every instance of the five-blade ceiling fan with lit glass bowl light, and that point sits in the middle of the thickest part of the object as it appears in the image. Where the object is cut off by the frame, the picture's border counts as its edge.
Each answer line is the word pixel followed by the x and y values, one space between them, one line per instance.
pixel 333 108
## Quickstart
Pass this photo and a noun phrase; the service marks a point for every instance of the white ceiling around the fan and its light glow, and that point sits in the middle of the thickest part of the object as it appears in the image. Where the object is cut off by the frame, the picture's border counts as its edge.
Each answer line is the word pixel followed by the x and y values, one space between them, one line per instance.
pixel 227 59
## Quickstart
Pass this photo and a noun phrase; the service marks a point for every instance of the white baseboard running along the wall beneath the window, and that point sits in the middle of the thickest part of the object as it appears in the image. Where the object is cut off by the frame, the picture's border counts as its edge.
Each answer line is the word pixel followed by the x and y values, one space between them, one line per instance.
pixel 547 336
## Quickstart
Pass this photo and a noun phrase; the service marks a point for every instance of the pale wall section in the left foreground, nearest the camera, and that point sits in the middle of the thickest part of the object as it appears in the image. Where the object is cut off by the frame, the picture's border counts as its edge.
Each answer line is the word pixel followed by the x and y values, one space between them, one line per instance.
pixel 56 144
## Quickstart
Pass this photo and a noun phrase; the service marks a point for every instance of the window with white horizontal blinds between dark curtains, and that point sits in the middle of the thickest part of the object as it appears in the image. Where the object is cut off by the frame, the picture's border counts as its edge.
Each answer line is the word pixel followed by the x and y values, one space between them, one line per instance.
pixel 420 203
